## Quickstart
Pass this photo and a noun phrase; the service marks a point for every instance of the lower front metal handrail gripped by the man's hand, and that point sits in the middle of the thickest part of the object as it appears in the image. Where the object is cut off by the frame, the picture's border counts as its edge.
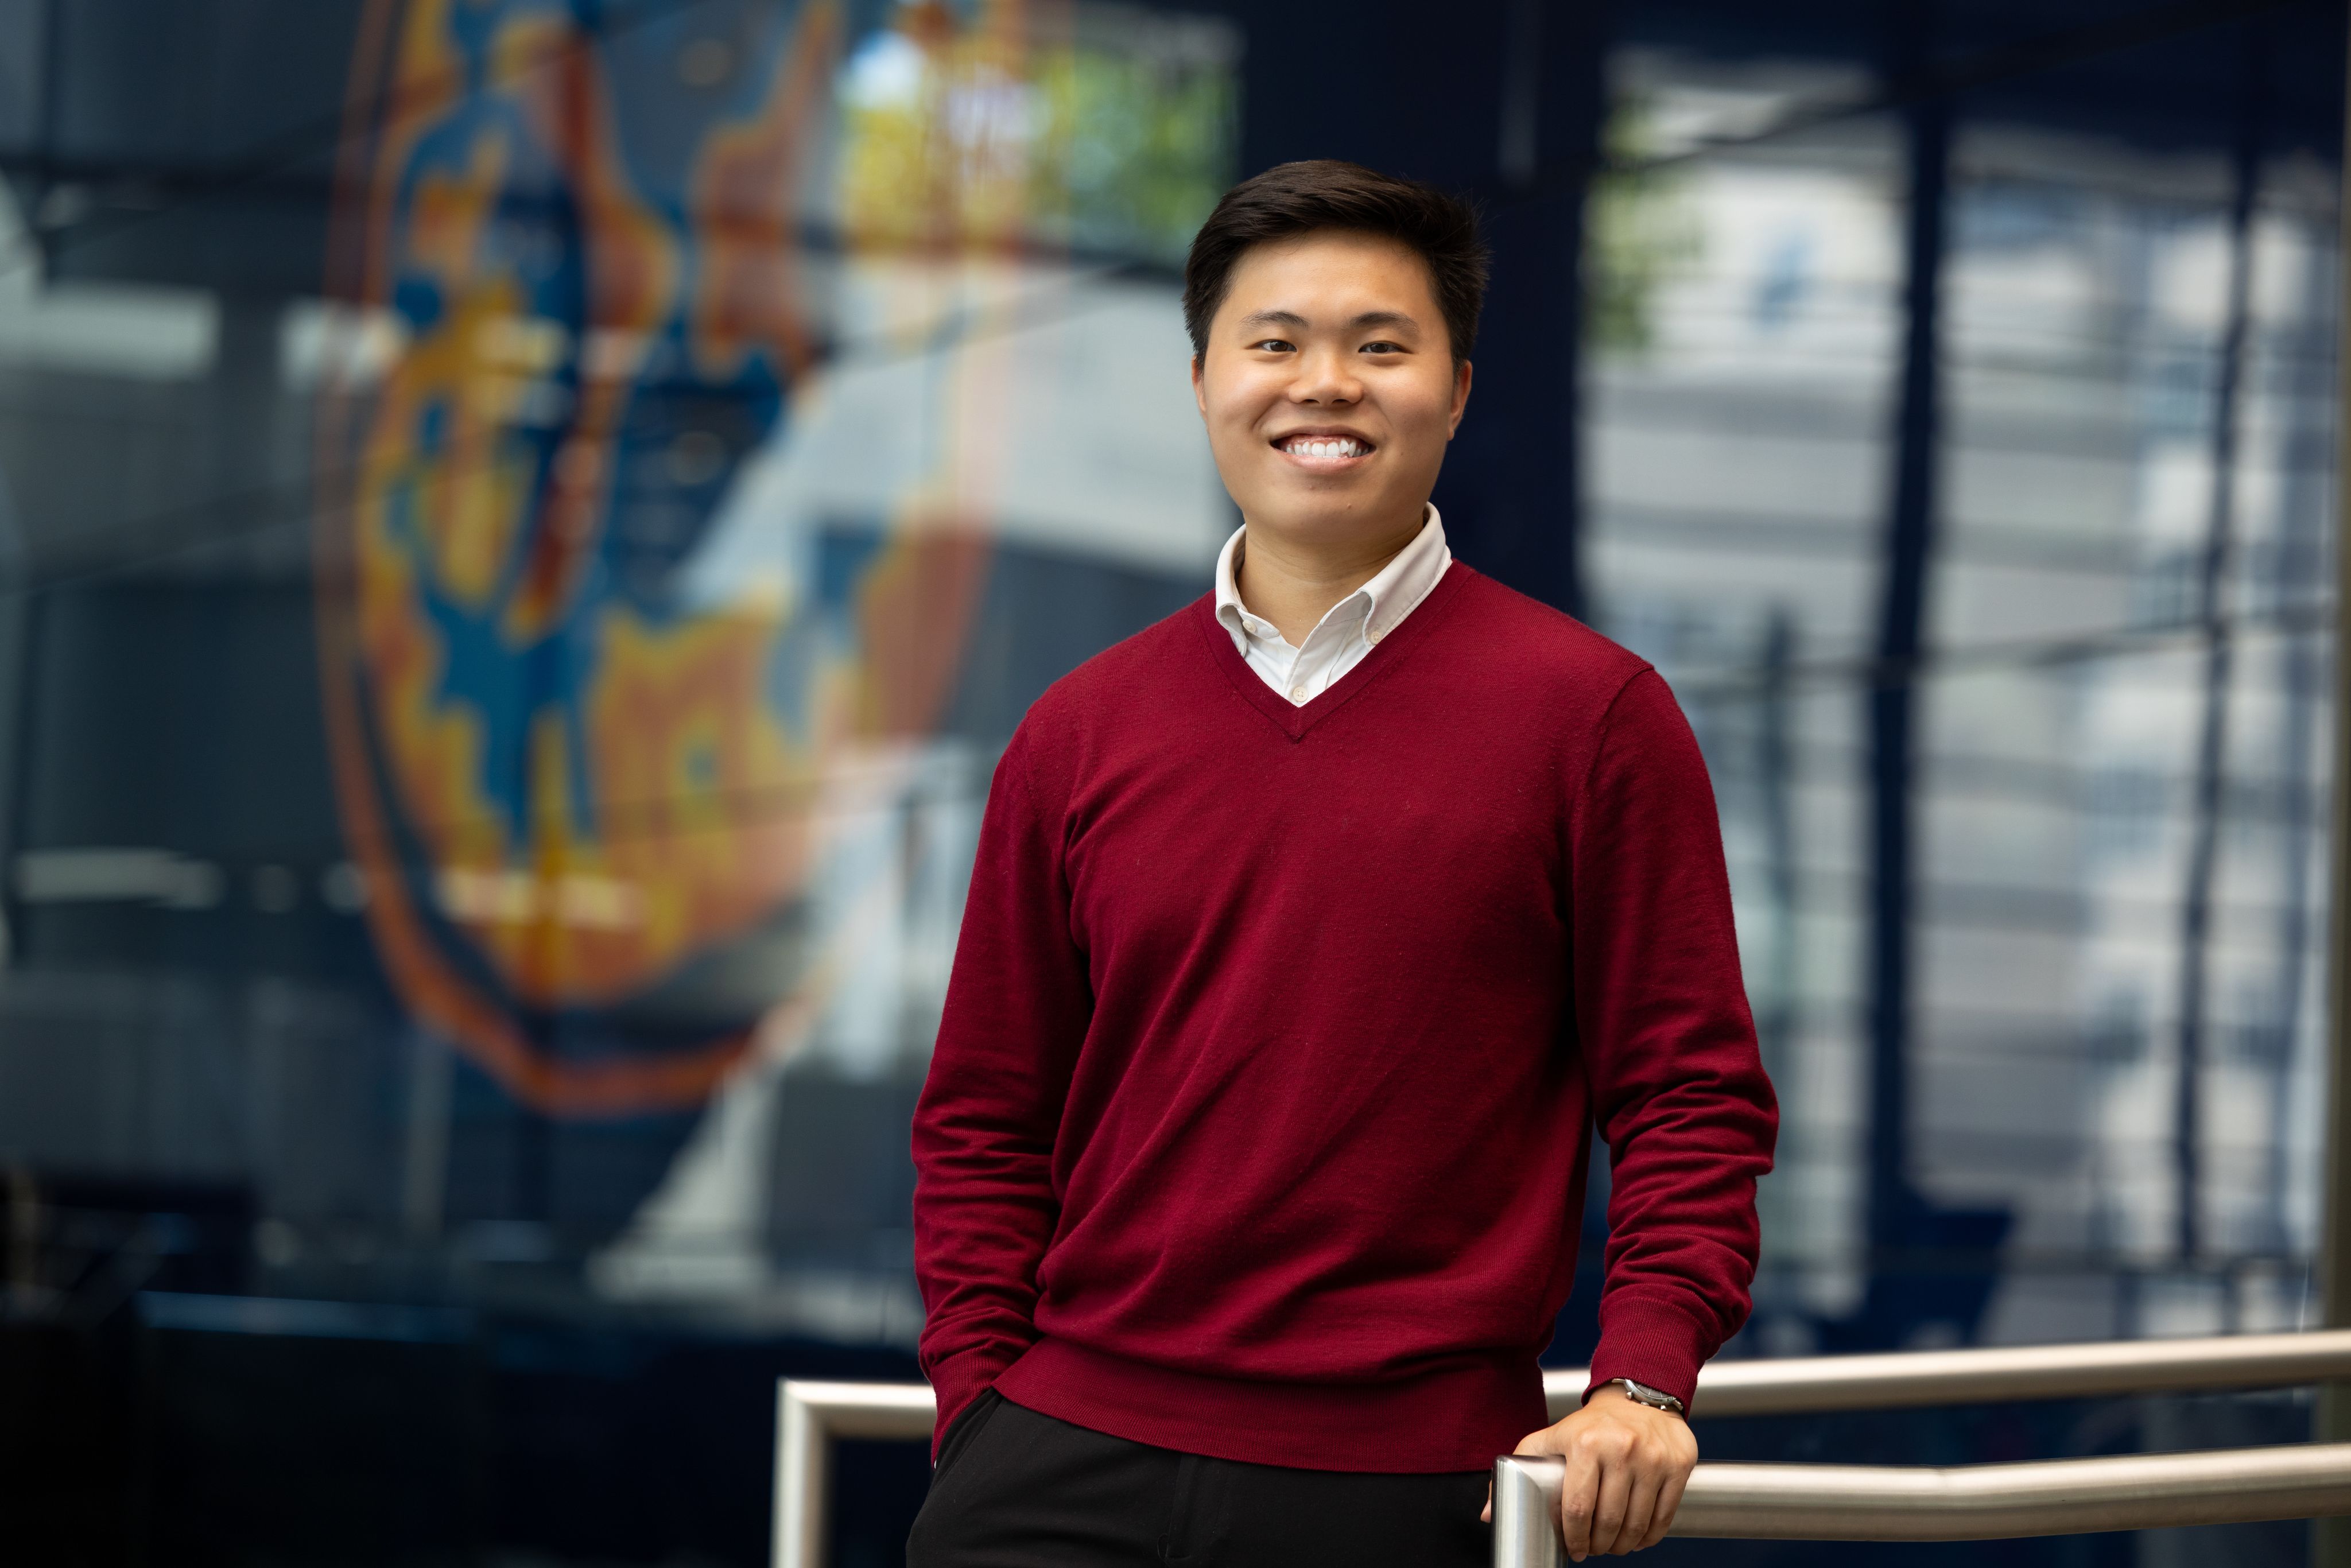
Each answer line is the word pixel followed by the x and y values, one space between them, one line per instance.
pixel 1960 1503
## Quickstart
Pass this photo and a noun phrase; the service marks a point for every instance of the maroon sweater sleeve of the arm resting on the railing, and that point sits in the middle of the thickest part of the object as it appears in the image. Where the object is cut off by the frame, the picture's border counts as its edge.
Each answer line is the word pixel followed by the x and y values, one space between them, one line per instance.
pixel 1670 1050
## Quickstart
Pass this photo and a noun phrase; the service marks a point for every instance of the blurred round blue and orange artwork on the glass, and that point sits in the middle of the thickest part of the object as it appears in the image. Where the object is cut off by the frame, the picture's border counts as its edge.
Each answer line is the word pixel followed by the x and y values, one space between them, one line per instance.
pixel 577 791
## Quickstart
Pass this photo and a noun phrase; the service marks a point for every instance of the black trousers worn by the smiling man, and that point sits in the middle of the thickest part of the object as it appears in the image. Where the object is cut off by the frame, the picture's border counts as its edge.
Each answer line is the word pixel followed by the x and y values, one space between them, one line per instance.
pixel 1017 1489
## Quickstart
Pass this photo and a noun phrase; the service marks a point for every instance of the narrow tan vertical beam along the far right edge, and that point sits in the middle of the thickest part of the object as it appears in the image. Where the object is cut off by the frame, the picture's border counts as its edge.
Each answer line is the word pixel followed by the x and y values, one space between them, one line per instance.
pixel 2331 1539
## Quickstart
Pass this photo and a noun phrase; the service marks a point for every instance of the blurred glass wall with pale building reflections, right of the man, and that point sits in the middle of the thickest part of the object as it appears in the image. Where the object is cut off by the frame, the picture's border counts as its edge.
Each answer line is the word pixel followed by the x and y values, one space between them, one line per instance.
pixel 2079 800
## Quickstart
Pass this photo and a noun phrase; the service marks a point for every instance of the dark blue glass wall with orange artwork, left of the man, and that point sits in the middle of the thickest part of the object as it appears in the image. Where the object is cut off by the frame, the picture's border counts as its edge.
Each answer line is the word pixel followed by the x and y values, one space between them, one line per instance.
pixel 525 530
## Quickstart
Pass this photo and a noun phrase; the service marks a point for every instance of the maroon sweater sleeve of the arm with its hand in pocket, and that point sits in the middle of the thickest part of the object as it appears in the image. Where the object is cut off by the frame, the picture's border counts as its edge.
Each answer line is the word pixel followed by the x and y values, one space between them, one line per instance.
pixel 984 1130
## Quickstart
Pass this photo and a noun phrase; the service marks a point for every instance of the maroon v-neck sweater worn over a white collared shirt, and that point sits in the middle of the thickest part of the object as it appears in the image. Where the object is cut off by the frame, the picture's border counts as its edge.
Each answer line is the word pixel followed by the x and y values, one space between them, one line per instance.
pixel 1261 1101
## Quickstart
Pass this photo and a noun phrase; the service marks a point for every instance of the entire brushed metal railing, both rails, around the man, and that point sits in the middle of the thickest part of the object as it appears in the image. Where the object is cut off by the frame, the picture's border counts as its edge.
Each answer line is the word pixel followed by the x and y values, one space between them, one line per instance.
pixel 1811 1501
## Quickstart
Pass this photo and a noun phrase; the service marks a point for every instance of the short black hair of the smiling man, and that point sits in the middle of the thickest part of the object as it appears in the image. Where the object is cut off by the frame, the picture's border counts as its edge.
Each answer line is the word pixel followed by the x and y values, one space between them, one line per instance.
pixel 1301 199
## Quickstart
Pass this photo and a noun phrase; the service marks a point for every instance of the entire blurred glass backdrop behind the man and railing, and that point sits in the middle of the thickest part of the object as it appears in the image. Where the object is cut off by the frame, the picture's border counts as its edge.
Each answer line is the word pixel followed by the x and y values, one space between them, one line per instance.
pixel 525 525
